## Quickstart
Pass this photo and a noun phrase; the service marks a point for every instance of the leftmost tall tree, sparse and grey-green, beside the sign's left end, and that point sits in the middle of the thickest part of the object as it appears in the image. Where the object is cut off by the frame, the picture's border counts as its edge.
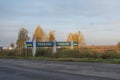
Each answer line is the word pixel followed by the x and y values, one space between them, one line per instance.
pixel 22 38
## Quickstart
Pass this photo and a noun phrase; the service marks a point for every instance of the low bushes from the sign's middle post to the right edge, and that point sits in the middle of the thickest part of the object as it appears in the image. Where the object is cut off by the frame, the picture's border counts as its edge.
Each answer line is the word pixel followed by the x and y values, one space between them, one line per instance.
pixel 86 53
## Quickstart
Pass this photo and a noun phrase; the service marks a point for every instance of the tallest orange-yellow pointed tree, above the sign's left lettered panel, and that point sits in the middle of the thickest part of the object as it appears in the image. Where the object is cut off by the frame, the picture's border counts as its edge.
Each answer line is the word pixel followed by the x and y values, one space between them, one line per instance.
pixel 39 34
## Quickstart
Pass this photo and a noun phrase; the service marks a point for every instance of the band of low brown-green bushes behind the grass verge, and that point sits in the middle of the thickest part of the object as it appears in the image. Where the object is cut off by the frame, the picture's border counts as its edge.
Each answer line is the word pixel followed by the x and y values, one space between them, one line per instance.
pixel 64 53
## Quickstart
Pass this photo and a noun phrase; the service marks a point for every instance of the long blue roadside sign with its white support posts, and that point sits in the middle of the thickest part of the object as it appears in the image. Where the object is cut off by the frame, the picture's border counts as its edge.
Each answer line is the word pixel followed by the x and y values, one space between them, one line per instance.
pixel 53 44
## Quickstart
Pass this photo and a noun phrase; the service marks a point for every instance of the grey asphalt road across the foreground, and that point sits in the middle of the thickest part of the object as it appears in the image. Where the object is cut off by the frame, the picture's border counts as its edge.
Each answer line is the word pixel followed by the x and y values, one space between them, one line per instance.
pixel 11 69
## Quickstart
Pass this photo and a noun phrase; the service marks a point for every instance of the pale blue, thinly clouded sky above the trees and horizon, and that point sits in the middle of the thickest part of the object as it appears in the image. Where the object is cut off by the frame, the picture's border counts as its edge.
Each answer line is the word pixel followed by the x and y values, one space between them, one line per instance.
pixel 97 20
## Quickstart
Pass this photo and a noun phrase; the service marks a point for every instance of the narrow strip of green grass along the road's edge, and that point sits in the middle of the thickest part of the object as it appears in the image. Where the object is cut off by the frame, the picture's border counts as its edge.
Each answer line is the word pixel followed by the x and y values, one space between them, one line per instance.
pixel 115 61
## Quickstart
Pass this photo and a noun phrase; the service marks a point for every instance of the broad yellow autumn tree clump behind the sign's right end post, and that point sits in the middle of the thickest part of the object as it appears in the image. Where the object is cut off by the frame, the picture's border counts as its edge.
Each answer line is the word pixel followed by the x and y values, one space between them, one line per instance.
pixel 77 37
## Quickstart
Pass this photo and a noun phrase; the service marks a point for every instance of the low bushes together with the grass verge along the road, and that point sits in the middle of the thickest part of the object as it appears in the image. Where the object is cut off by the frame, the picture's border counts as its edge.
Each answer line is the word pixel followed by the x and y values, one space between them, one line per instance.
pixel 83 55
